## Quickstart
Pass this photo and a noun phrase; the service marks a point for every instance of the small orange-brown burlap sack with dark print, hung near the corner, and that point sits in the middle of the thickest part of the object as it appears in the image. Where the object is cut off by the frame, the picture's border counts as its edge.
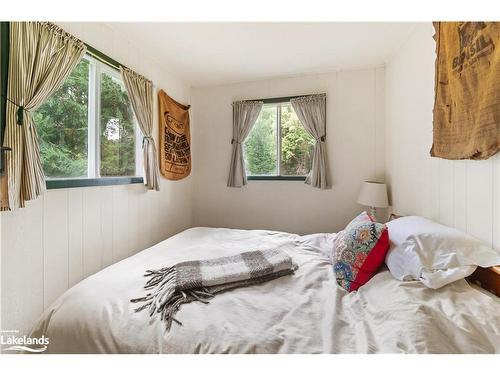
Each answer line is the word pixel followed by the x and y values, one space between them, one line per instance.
pixel 175 138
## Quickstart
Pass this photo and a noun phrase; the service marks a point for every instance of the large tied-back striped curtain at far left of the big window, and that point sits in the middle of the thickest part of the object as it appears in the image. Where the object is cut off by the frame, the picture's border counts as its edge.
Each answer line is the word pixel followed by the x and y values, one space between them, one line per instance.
pixel 42 56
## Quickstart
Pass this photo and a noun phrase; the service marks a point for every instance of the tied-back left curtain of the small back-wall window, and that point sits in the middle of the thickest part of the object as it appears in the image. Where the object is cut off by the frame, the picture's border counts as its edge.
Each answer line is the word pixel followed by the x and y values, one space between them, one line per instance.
pixel 245 114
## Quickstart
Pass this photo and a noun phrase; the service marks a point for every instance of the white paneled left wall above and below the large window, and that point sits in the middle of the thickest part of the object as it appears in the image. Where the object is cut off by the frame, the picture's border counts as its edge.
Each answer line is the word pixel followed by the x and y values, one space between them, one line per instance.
pixel 69 234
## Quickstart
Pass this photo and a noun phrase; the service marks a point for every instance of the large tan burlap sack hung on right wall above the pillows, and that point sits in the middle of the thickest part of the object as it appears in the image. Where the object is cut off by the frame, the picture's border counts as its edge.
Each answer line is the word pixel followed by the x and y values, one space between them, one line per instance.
pixel 467 90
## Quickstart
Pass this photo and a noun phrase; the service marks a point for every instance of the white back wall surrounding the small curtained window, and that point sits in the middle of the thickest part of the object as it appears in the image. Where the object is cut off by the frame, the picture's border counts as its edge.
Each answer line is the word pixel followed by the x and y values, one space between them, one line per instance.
pixel 355 149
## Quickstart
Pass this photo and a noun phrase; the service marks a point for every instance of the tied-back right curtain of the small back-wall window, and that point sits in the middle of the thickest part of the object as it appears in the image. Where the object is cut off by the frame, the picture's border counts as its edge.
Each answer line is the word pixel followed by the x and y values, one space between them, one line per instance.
pixel 311 111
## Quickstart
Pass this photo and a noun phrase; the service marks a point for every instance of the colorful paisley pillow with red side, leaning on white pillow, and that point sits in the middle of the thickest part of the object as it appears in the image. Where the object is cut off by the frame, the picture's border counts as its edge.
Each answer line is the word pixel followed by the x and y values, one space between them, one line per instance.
pixel 358 251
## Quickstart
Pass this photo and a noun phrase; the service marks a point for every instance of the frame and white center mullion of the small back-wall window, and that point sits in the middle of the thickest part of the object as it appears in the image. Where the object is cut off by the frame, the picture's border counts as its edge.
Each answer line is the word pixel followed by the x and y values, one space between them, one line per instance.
pixel 278 177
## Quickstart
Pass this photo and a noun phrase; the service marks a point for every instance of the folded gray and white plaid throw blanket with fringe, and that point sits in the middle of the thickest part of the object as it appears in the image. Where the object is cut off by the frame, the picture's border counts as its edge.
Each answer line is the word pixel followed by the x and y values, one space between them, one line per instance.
pixel 200 280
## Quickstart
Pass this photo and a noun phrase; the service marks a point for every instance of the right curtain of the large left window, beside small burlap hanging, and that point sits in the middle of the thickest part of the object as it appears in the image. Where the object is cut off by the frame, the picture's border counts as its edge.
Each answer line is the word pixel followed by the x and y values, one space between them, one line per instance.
pixel 140 93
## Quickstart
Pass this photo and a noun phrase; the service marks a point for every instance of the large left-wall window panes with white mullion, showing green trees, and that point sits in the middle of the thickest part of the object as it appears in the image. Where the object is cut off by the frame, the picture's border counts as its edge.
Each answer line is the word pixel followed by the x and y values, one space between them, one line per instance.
pixel 87 128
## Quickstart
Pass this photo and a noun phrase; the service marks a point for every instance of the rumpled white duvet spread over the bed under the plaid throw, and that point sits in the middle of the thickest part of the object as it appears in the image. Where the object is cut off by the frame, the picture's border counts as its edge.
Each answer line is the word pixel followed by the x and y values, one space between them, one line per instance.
pixel 303 313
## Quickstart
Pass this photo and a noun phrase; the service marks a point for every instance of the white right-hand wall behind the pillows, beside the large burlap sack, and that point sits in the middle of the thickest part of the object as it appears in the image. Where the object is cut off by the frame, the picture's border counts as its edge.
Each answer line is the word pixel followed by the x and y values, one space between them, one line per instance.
pixel 464 194
